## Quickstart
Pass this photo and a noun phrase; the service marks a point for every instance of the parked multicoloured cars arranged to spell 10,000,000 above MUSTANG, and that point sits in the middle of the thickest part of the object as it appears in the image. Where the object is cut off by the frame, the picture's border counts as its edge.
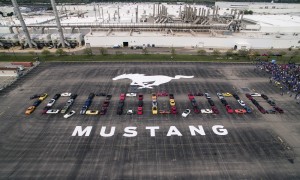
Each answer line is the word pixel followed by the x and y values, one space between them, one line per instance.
pixel 206 105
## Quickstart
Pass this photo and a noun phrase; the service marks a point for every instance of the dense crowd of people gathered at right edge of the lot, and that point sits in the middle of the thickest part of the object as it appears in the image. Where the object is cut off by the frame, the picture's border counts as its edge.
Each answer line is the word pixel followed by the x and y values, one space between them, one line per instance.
pixel 285 76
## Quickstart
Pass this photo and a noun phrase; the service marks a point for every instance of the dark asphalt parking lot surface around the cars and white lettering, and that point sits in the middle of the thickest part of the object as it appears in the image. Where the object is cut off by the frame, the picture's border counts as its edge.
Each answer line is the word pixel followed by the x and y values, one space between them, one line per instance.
pixel 257 146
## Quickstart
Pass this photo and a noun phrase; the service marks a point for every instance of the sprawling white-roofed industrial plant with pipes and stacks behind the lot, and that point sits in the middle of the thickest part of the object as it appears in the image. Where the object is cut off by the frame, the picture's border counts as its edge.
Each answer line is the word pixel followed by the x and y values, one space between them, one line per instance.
pixel 161 25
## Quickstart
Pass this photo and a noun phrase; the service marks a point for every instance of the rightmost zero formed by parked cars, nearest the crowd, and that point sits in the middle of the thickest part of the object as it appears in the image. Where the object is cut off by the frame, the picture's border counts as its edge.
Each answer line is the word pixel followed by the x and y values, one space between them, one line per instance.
pixel 274 108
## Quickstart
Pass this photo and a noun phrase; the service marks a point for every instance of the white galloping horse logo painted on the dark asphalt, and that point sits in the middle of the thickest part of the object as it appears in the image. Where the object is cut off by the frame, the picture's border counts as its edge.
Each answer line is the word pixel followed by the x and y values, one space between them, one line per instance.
pixel 148 81
